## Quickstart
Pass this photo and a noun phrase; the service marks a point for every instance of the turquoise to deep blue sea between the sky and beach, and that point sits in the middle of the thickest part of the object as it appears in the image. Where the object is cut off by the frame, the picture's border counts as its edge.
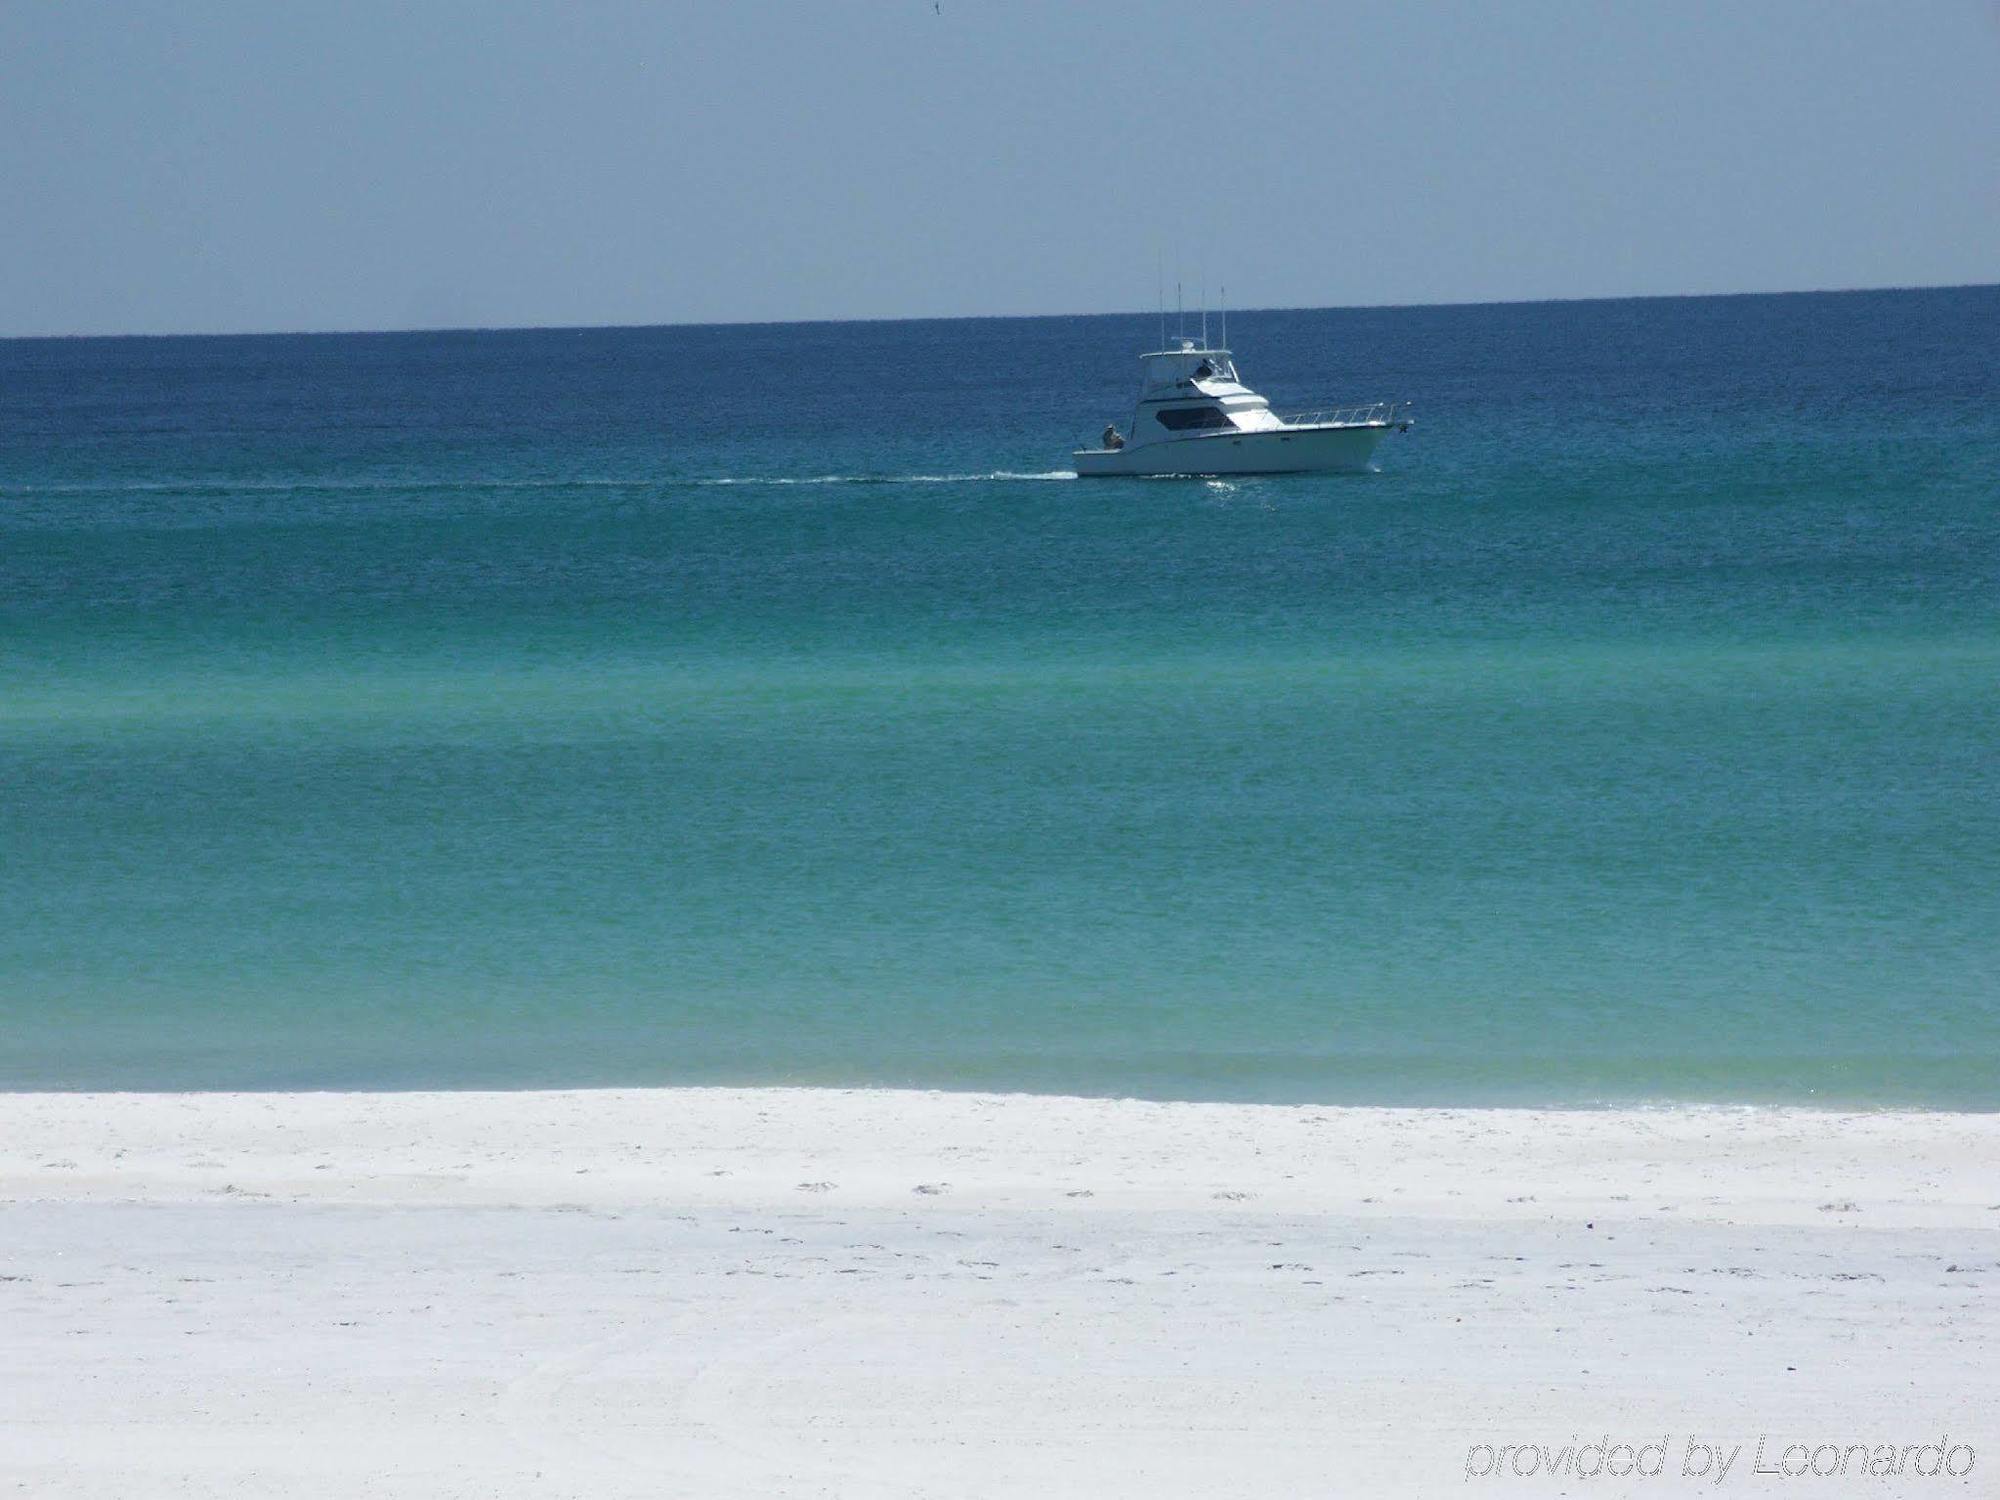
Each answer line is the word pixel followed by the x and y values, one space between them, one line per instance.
pixel 761 705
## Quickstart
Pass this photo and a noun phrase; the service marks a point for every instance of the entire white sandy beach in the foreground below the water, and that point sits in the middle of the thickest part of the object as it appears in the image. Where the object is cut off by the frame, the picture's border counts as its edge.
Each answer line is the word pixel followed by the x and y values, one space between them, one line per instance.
pixel 753 1293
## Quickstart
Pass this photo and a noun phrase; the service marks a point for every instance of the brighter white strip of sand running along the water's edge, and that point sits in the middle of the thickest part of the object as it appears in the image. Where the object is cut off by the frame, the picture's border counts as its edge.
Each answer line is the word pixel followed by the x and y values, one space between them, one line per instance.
pixel 999 1151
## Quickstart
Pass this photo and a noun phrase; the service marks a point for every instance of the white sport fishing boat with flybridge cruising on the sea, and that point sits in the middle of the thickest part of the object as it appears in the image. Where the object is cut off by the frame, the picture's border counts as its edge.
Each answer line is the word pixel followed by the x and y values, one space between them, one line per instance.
pixel 1197 417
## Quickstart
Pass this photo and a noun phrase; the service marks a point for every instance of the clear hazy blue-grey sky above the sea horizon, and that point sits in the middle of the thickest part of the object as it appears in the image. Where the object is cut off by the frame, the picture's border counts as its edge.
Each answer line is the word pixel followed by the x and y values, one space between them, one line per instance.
pixel 233 167
